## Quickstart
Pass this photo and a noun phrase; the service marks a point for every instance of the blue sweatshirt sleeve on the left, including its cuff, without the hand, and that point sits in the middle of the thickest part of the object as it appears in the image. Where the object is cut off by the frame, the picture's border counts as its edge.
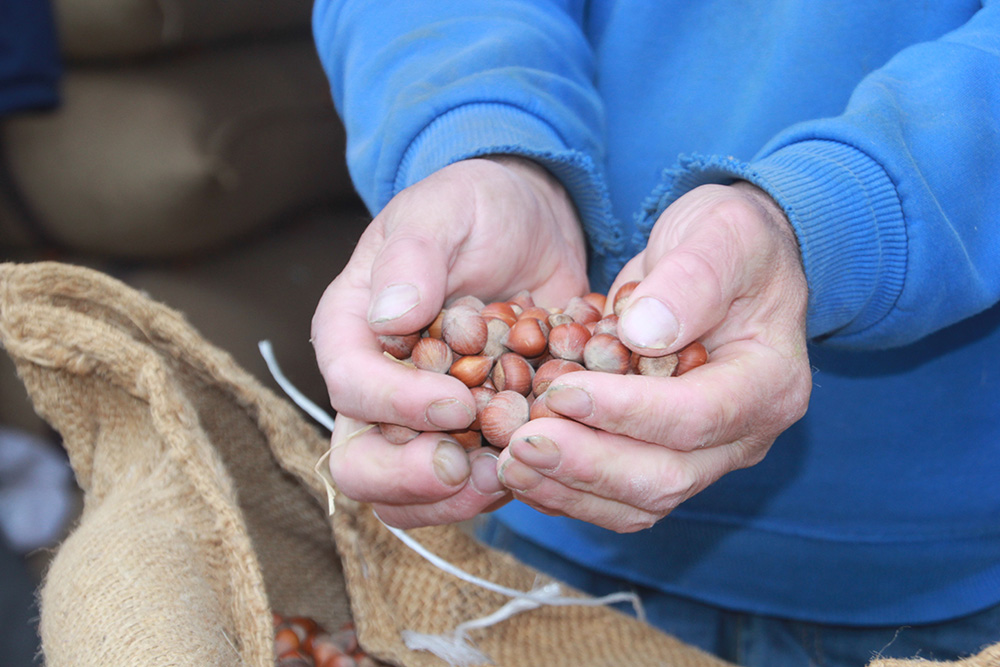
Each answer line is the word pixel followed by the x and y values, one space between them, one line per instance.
pixel 420 85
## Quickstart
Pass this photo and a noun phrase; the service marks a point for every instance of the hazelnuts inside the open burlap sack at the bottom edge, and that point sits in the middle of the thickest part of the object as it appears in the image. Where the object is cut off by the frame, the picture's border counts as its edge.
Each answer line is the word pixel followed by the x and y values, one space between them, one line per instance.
pixel 301 642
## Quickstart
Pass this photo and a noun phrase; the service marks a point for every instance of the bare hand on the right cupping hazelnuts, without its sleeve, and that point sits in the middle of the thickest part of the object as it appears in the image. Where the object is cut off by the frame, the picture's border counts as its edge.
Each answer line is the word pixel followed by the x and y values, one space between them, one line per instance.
pixel 722 265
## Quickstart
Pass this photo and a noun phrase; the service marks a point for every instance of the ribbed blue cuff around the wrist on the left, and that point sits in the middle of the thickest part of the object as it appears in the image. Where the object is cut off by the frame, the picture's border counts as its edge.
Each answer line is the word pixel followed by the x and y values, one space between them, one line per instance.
pixel 490 128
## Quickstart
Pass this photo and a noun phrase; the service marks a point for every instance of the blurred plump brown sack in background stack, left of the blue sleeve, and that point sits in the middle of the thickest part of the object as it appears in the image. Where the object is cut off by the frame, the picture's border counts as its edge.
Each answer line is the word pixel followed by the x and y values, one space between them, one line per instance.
pixel 181 155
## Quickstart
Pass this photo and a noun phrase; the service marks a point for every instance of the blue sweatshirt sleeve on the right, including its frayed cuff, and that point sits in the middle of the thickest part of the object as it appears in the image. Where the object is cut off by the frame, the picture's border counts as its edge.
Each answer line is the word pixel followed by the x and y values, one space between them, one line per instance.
pixel 896 202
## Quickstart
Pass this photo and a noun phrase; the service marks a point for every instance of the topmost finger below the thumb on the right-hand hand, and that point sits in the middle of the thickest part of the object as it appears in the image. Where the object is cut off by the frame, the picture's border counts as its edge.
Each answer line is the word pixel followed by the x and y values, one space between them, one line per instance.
pixel 745 388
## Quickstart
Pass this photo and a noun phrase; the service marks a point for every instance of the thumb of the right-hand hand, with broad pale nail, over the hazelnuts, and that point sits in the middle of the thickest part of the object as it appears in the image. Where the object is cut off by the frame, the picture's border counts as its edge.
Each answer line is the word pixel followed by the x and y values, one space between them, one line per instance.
pixel 700 258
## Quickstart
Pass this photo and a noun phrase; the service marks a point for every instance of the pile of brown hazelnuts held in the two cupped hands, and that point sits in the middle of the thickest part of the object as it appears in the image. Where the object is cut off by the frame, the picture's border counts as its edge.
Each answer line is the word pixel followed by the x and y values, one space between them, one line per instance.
pixel 508 352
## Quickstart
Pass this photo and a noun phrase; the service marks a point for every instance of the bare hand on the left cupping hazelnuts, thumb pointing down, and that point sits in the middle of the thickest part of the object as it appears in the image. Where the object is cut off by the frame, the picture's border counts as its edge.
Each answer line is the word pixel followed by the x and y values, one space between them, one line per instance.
pixel 486 227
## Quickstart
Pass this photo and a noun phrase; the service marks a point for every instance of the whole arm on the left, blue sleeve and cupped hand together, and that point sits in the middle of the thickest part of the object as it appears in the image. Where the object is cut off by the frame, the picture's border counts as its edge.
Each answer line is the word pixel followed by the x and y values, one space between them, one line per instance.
pixel 422 91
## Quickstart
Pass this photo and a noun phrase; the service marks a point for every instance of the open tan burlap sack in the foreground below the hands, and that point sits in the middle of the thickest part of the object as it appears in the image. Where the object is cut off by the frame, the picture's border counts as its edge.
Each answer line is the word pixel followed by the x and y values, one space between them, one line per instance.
pixel 202 511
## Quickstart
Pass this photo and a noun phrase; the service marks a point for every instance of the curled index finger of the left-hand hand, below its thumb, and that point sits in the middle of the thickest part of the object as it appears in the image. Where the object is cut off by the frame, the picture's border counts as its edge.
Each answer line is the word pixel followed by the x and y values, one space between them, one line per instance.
pixel 368 385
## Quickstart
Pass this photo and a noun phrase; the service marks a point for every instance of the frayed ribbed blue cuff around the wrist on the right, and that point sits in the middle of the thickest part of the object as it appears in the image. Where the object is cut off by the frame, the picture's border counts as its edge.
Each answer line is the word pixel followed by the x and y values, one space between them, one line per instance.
pixel 845 211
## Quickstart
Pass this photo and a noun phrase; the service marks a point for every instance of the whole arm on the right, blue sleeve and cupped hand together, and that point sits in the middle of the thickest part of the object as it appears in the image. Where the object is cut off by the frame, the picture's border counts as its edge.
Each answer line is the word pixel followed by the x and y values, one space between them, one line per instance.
pixel 894 207
